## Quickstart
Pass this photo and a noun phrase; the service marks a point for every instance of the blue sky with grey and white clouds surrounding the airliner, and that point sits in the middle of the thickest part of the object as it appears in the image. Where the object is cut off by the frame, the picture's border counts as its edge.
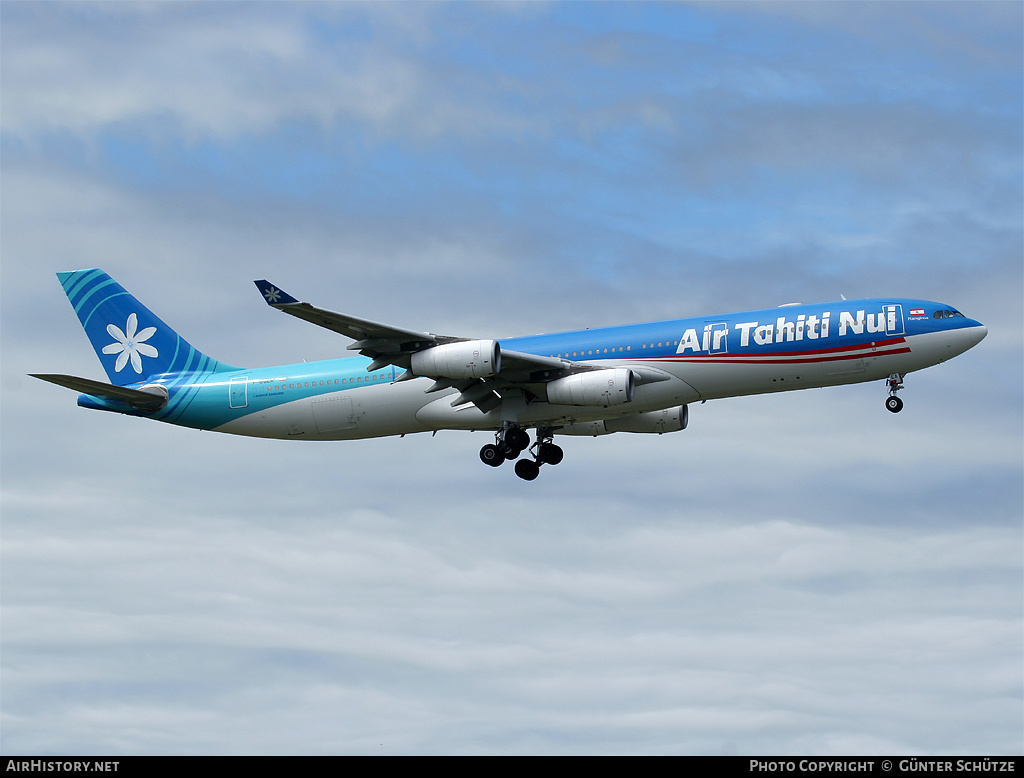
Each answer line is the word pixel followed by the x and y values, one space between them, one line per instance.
pixel 803 573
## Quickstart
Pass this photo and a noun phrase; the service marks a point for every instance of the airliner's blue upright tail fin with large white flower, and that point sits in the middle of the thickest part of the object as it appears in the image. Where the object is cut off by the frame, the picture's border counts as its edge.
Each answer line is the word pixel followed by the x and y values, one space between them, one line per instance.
pixel 131 340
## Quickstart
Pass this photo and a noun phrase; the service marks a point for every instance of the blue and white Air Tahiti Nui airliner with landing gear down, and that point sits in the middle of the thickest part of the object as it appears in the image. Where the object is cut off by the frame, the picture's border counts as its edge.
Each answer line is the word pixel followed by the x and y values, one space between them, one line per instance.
pixel 635 378
